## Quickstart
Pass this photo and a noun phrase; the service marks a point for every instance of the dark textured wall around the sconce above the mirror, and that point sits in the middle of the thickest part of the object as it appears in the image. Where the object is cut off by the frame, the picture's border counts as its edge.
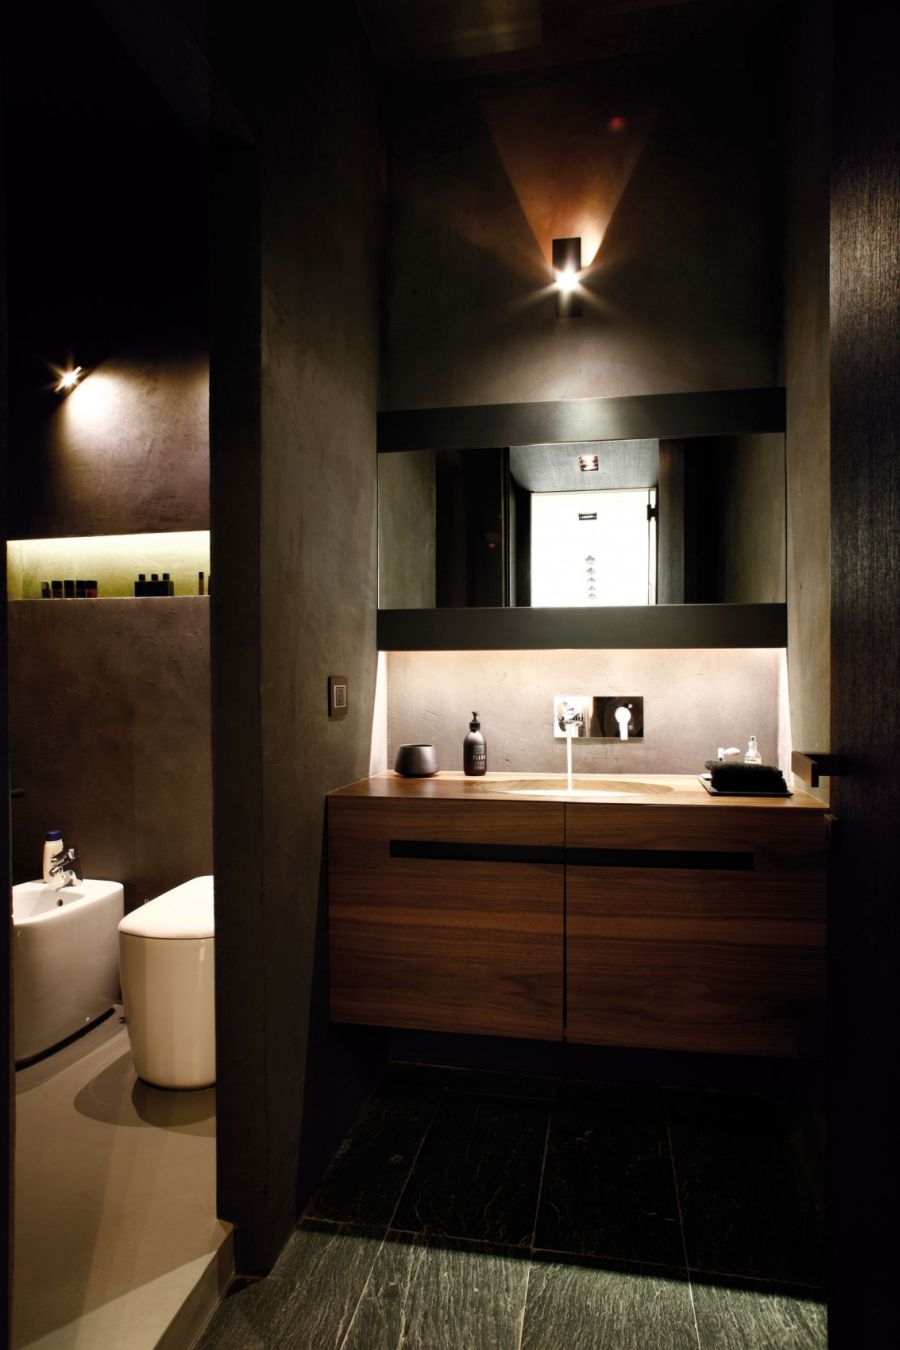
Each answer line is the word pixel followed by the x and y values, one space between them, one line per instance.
pixel 677 213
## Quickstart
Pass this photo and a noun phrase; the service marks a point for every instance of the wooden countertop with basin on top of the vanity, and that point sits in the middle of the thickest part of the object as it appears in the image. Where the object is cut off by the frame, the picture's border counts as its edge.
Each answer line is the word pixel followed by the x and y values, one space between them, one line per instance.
pixel 631 789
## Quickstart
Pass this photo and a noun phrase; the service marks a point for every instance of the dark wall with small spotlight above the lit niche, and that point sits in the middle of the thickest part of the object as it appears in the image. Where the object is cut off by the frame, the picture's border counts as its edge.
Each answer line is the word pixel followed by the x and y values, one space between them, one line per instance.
pixel 109 242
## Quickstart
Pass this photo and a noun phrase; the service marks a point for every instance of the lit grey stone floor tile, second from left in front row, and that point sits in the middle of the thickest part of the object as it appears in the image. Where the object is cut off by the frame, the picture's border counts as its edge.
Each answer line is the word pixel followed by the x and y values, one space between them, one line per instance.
pixel 441 1295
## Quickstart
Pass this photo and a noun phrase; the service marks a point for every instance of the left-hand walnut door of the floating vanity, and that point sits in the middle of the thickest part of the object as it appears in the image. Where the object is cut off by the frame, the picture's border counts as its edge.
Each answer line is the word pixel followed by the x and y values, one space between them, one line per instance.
pixel 447 916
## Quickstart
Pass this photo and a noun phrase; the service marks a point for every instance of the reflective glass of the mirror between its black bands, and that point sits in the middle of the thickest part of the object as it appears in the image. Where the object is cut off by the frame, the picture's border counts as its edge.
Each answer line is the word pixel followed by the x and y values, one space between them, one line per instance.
pixel 594 524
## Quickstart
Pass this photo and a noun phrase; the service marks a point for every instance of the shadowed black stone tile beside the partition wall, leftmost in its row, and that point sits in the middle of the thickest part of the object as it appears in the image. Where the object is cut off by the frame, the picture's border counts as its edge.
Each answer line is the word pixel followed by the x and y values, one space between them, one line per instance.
pixel 370 1170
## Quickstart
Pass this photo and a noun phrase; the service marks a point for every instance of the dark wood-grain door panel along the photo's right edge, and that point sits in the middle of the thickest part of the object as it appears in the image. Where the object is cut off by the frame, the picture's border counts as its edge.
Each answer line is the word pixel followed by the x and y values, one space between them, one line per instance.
pixel 866 672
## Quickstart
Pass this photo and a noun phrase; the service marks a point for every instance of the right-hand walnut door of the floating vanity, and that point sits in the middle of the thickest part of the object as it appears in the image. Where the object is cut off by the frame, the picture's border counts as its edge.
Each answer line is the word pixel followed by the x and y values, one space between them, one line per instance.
pixel 697 931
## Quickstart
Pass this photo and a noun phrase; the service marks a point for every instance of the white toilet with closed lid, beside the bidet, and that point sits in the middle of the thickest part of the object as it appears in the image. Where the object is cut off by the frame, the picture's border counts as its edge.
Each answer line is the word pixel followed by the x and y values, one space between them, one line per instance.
pixel 167 965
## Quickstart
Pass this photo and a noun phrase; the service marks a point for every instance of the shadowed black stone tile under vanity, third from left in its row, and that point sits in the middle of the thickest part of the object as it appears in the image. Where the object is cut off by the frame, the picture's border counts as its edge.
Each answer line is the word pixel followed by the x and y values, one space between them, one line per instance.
pixel 608 1186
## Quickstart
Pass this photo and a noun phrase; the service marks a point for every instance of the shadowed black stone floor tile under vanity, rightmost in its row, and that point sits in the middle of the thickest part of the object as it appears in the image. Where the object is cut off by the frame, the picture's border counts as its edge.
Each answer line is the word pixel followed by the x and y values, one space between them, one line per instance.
pixel 747 1204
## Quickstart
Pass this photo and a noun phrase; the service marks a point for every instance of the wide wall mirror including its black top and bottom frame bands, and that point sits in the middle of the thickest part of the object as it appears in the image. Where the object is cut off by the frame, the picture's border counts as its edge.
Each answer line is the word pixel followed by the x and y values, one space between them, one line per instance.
pixel 644 522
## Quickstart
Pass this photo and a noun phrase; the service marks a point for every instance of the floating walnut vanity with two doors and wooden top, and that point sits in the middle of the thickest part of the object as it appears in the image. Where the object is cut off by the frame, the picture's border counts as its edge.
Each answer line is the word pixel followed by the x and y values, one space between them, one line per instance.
pixel 656 917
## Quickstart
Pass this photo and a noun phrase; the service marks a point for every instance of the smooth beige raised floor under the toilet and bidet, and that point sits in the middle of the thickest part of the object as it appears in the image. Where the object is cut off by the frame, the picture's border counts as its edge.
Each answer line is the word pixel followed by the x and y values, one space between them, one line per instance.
pixel 117 1239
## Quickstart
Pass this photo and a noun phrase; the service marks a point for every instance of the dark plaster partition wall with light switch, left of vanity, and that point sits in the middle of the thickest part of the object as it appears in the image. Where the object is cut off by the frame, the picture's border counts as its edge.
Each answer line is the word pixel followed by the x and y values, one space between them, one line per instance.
pixel 295 384
